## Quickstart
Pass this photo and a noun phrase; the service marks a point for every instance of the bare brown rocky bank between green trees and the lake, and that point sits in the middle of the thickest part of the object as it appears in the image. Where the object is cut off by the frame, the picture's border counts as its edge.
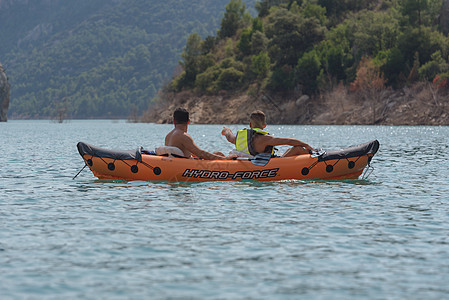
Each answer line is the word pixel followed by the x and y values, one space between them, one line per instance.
pixel 420 104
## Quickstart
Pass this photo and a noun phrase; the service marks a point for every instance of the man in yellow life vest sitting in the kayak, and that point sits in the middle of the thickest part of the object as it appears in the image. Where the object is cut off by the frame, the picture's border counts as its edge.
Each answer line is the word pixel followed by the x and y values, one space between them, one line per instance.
pixel 256 140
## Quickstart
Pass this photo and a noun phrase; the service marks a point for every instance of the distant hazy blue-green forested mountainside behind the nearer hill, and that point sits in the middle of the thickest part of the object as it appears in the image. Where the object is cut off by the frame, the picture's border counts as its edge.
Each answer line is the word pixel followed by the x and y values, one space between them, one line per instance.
pixel 95 58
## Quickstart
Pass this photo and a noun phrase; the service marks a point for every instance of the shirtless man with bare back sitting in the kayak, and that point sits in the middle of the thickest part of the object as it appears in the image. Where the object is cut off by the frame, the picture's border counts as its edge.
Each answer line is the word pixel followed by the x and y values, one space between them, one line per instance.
pixel 178 137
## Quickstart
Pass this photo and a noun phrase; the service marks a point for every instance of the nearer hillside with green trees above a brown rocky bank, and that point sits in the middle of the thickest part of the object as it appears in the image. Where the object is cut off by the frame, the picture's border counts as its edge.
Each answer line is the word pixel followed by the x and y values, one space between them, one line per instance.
pixel 359 62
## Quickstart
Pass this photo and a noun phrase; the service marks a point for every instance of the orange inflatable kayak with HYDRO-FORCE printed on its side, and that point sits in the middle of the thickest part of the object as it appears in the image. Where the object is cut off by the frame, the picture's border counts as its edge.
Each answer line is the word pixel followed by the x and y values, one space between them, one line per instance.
pixel 347 163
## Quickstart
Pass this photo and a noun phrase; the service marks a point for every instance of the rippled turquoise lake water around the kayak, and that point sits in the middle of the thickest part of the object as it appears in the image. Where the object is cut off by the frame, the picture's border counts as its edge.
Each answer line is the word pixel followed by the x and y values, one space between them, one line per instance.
pixel 386 237
